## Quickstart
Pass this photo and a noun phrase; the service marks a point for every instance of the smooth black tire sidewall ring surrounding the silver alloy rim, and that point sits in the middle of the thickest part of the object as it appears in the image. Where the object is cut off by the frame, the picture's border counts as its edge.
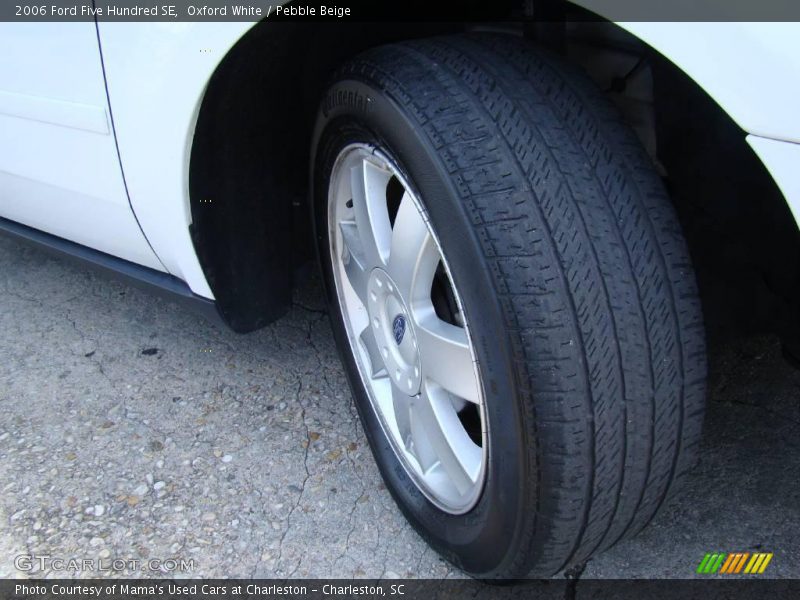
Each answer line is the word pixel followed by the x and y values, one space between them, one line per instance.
pixel 485 540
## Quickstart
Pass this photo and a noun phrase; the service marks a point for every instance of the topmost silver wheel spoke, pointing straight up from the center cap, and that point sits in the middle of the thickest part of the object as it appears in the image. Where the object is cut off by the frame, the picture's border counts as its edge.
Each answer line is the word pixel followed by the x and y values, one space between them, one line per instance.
pixel 368 187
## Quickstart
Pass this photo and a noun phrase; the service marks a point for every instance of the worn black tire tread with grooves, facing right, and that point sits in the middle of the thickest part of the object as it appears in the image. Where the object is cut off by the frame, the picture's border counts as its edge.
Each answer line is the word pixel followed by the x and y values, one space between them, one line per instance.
pixel 591 270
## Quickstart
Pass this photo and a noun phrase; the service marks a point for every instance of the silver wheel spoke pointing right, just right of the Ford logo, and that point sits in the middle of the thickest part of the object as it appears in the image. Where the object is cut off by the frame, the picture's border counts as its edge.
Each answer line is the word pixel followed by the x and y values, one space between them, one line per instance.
pixel 445 355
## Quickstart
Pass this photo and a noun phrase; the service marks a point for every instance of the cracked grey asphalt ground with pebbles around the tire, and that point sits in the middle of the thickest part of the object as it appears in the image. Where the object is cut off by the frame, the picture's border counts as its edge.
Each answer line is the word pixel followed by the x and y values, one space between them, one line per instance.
pixel 132 429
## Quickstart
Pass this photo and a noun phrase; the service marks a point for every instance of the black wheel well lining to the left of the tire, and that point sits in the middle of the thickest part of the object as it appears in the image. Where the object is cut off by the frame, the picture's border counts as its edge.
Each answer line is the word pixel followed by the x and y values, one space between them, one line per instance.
pixel 249 159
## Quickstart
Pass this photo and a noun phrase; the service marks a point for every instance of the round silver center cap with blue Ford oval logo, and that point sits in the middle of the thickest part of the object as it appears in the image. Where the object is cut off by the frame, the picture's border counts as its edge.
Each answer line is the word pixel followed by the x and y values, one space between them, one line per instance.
pixel 394 332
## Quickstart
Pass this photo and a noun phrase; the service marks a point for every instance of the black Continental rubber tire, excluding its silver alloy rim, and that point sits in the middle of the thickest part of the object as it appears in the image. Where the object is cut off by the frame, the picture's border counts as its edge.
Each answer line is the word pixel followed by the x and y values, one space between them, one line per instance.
pixel 575 284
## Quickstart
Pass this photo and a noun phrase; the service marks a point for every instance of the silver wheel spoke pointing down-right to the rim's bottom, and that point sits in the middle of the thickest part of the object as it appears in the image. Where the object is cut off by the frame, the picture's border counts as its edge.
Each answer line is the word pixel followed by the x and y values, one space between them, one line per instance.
pixel 457 455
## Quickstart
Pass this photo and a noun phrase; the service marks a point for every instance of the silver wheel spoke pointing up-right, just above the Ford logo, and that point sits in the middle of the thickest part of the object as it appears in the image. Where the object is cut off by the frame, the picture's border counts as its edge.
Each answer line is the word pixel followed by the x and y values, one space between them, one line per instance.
pixel 413 257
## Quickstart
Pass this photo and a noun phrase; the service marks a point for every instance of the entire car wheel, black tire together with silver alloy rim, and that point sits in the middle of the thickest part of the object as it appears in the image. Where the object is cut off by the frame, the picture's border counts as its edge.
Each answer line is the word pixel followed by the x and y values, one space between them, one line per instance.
pixel 512 298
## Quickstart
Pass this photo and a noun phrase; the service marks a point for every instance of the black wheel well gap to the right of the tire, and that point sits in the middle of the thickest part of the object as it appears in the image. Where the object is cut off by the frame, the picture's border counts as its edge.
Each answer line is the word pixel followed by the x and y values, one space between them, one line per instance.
pixel 743 238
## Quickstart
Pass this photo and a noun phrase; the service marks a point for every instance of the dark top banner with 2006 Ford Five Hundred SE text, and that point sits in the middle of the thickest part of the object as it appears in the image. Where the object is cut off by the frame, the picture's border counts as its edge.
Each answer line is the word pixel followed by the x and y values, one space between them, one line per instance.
pixel 399 11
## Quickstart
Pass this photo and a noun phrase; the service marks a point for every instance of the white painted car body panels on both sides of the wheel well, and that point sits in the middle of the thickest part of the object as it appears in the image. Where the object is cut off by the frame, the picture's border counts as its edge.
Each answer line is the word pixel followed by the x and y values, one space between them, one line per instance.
pixel 121 185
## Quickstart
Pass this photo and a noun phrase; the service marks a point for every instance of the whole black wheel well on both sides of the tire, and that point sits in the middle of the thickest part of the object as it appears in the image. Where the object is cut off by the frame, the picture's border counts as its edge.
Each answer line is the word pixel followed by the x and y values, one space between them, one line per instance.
pixel 248 175
